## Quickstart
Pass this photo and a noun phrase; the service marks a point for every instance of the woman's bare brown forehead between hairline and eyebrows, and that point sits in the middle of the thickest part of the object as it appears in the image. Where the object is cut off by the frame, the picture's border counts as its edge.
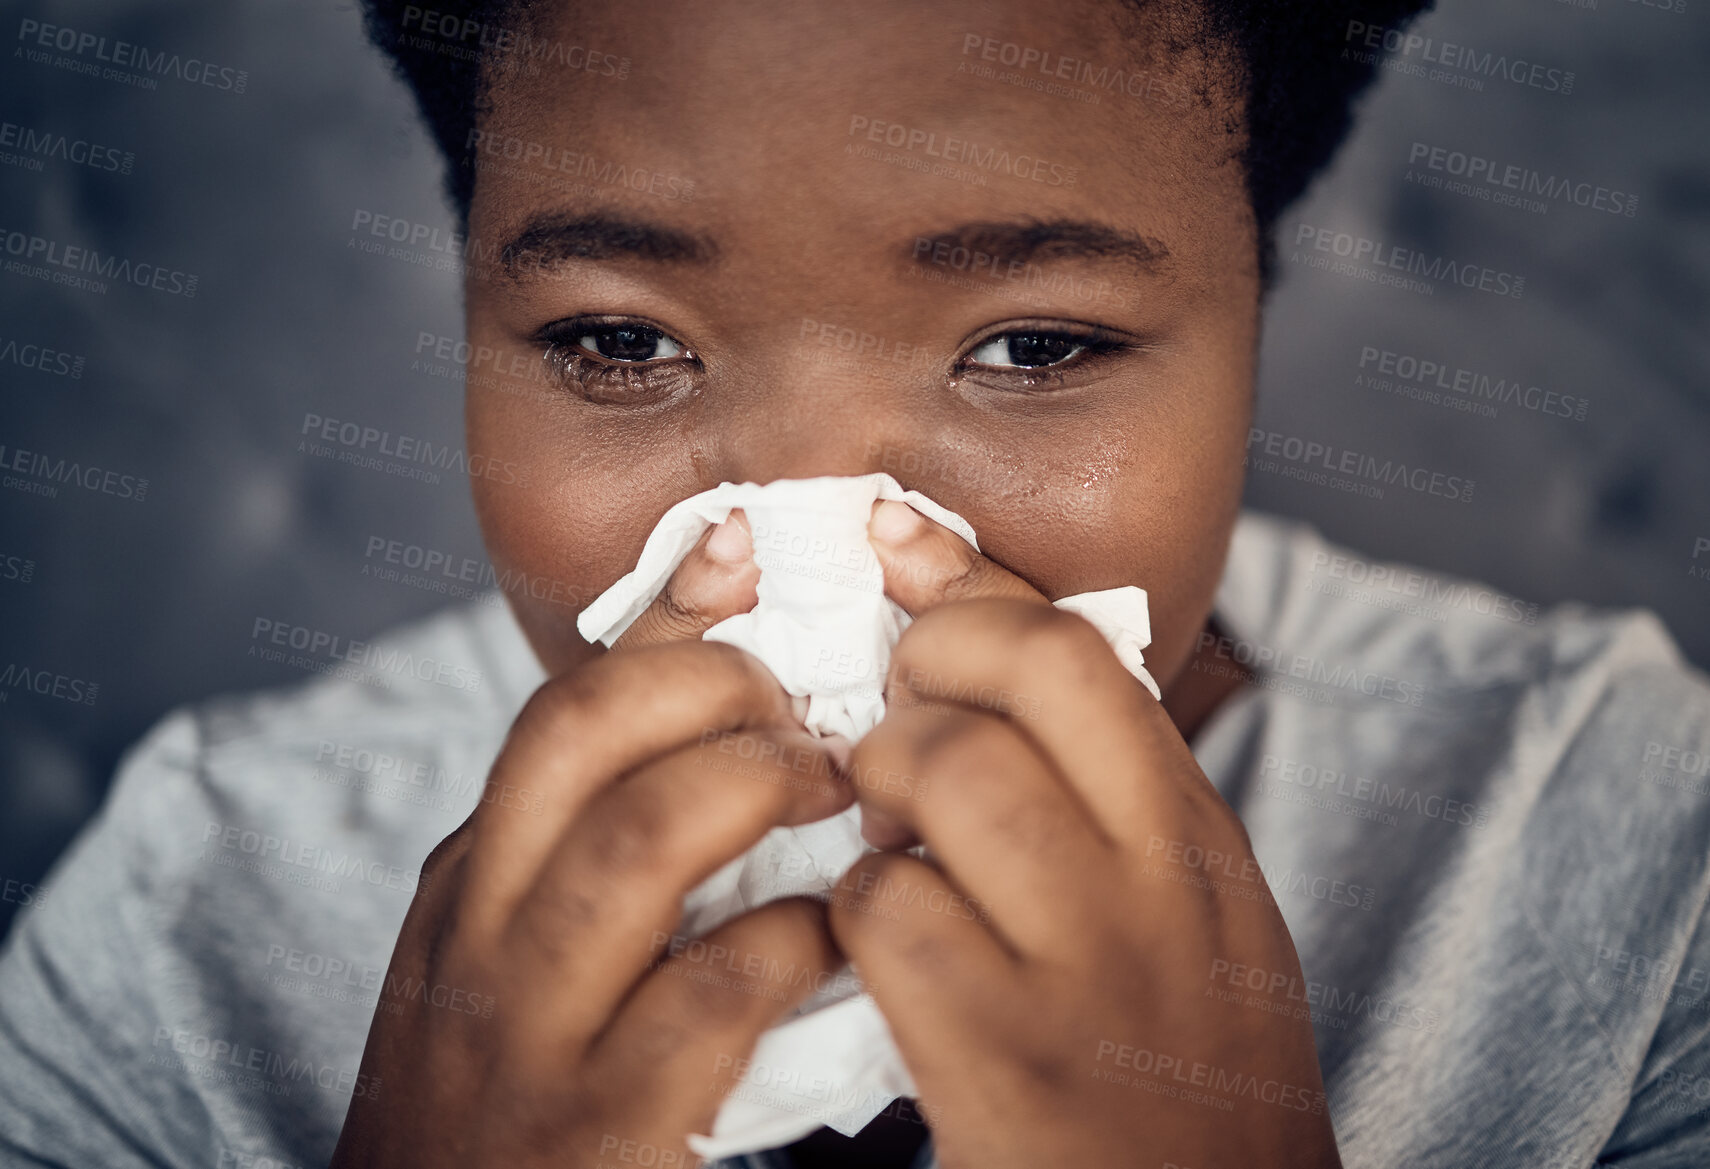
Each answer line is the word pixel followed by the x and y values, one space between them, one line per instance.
pixel 863 122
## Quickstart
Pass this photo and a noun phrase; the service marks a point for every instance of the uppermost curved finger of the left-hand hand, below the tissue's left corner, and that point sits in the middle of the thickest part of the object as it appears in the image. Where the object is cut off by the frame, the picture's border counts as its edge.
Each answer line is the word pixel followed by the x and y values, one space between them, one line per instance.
pixel 582 731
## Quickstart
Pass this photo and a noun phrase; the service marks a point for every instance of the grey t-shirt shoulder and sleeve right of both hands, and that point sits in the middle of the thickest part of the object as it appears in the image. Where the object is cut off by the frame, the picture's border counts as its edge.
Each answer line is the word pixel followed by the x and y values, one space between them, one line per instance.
pixel 1528 792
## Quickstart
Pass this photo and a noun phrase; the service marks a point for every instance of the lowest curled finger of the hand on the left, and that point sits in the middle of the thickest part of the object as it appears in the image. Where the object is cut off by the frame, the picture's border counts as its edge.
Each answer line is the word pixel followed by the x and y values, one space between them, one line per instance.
pixel 687 1035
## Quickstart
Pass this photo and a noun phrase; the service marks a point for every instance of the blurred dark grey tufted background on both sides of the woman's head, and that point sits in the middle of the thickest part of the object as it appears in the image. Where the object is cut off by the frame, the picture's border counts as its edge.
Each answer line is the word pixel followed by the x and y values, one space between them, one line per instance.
pixel 257 192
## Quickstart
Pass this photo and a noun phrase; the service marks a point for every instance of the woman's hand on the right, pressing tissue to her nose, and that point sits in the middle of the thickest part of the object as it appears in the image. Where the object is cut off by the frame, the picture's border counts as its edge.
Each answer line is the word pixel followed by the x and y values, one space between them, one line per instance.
pixel 1090 970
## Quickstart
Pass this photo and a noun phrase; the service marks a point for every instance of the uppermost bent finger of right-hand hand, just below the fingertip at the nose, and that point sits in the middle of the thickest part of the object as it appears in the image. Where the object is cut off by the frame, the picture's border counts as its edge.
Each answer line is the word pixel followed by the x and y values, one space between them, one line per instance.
pixel 1100 729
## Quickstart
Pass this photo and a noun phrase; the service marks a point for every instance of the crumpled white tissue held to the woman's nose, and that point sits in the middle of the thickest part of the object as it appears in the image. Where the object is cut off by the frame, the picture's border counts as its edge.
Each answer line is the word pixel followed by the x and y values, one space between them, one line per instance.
pixel 827 630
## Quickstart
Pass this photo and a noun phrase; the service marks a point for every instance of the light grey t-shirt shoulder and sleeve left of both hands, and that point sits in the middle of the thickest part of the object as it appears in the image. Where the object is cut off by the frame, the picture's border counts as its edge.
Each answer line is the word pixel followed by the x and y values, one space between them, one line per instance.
pixel 199 980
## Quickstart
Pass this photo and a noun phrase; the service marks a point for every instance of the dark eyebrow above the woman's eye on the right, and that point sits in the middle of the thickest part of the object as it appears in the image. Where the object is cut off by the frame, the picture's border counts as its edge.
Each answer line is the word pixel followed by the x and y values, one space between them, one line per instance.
pixel 988 245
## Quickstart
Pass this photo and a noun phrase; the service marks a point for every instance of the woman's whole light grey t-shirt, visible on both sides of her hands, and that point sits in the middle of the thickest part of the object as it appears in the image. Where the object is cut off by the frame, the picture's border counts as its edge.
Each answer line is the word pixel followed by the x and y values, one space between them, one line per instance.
pixel 1487 830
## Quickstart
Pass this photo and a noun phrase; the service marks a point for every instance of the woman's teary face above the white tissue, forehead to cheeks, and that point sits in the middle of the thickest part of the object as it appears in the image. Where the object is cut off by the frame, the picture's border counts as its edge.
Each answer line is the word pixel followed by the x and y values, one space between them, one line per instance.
pixel 777 242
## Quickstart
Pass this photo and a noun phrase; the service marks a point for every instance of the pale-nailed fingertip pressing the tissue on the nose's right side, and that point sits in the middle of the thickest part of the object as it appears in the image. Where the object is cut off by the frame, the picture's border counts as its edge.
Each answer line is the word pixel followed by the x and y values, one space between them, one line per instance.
pixel 928 565
